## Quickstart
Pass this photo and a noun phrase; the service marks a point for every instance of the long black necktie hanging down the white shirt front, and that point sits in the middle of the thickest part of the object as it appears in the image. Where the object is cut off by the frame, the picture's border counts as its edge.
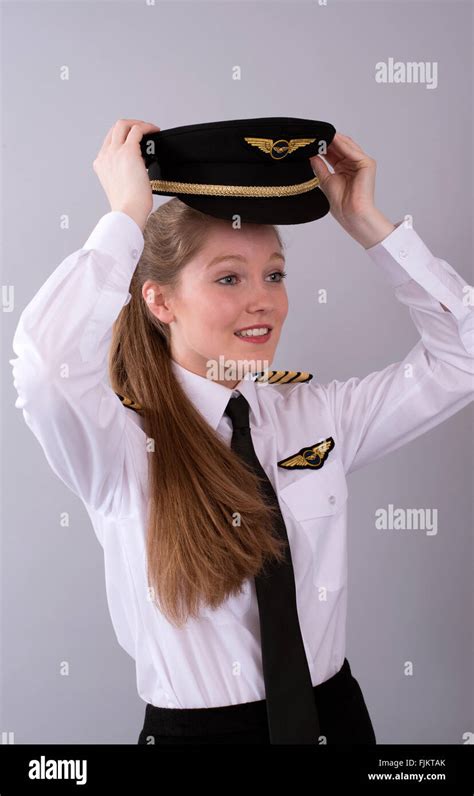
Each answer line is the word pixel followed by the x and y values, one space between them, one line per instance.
pixel 291 708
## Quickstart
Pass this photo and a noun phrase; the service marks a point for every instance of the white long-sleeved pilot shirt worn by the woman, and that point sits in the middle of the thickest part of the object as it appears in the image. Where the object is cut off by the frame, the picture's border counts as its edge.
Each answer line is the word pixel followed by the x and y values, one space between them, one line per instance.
pixel 97 447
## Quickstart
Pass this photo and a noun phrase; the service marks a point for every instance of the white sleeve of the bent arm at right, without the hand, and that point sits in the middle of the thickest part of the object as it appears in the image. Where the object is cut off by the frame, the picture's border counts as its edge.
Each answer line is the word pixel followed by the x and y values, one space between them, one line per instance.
pixel 386 409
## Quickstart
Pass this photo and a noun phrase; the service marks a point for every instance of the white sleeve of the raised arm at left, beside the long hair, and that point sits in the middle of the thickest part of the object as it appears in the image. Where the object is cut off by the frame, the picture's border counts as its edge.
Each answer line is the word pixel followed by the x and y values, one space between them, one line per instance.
pixel 61 346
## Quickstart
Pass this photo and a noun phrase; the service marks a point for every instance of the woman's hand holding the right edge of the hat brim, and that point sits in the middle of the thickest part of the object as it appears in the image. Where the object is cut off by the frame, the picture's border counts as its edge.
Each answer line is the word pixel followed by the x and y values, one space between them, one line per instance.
pixel 350 190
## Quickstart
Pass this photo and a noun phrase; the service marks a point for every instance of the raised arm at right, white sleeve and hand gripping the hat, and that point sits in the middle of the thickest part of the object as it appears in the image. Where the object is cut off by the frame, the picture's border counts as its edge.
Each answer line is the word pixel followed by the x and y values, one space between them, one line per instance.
pixel 388 408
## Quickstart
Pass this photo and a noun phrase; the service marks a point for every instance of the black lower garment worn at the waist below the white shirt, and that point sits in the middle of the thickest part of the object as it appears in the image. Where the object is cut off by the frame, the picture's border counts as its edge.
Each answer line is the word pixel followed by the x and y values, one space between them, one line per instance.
pixel 343 718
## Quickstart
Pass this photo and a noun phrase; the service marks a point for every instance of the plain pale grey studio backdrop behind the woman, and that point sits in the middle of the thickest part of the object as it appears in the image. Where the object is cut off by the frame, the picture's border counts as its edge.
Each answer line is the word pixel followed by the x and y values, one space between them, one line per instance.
pixel 410 595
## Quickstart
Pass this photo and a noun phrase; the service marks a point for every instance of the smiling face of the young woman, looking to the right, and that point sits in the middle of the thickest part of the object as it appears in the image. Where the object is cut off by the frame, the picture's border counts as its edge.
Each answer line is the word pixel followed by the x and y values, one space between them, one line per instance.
pixel 214 299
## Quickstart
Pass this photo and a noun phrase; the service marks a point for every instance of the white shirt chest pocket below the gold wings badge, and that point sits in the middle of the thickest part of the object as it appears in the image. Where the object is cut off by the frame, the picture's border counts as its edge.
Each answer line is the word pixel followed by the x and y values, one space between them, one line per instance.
pixel 317 501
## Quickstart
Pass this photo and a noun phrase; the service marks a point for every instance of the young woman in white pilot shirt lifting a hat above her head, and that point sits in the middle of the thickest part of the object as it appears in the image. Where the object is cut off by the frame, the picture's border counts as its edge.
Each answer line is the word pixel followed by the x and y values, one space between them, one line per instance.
pixel 183 521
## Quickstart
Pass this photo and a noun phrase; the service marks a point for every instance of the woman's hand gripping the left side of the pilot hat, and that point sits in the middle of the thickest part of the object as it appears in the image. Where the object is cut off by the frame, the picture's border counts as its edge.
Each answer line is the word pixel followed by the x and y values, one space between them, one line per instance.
pixel 121 169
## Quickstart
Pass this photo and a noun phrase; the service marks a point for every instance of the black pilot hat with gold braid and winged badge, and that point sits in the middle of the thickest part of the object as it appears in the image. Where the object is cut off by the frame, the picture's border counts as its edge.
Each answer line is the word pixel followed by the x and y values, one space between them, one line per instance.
pixel 257 169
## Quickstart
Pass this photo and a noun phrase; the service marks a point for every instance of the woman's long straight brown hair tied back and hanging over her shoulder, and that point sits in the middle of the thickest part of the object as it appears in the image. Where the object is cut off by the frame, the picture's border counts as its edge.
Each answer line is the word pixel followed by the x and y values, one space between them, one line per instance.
pixel 198 548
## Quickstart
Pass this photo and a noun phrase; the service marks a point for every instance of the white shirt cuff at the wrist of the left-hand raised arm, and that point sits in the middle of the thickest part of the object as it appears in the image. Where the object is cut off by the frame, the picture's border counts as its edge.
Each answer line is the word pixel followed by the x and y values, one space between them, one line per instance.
pixel 117 234
